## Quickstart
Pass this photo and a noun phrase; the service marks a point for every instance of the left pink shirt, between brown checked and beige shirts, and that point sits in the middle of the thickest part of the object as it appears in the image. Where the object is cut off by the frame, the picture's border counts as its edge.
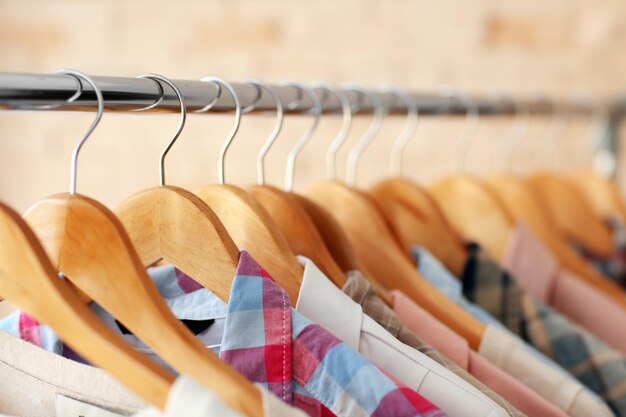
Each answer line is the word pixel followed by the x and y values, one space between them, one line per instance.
pixel 437 334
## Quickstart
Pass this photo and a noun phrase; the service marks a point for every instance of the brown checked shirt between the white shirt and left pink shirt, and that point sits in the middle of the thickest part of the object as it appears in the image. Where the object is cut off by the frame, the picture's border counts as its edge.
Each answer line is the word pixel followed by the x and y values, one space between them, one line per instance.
pixel 362 292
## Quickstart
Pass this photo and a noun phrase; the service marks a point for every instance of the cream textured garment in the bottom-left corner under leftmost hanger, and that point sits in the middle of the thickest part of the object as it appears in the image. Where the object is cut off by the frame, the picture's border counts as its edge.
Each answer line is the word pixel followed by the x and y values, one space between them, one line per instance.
pixel 31 379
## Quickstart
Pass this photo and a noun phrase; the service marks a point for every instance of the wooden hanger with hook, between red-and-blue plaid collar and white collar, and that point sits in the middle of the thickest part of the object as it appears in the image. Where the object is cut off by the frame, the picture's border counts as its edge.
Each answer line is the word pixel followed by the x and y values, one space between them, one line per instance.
pixel 247 221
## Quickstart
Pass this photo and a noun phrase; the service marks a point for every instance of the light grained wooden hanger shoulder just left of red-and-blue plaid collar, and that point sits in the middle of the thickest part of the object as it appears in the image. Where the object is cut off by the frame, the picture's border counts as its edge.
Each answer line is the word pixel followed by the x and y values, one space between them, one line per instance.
pixel 173 224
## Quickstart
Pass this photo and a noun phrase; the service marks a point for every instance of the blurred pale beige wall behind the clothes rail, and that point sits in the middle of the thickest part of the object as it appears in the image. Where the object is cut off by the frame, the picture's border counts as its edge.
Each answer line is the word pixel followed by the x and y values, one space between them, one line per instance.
pixel 559 48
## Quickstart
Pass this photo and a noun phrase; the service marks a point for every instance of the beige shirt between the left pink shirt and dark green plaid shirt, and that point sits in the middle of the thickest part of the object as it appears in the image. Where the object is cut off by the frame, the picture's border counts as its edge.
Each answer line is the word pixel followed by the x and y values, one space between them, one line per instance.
pixel 506 353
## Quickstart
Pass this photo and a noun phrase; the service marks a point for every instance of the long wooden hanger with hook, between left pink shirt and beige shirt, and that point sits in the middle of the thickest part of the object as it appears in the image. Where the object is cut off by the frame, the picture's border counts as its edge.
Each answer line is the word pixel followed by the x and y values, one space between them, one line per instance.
pixel 375 244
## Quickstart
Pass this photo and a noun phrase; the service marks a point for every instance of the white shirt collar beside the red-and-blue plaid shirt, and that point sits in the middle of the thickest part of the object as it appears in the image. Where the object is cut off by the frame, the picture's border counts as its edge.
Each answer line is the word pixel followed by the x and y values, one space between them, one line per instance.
pixel 323 303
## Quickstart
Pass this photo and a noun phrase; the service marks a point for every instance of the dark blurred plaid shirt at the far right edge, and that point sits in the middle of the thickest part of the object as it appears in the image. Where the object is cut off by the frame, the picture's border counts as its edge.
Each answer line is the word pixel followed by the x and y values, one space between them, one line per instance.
pixel 615 266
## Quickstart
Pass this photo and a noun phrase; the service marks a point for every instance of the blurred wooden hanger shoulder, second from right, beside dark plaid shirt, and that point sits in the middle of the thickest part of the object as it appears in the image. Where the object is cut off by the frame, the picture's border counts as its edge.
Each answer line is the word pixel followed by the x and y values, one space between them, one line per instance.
pixel 572 215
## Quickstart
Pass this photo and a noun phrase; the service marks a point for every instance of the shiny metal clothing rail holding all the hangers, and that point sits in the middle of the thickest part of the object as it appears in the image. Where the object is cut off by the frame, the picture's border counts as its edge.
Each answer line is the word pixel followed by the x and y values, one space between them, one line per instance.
pixel 55 92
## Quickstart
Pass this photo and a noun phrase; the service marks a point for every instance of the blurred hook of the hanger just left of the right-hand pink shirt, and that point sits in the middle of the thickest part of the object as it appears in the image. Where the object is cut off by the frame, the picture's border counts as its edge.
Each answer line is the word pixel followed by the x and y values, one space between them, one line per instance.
pixel 470 129
